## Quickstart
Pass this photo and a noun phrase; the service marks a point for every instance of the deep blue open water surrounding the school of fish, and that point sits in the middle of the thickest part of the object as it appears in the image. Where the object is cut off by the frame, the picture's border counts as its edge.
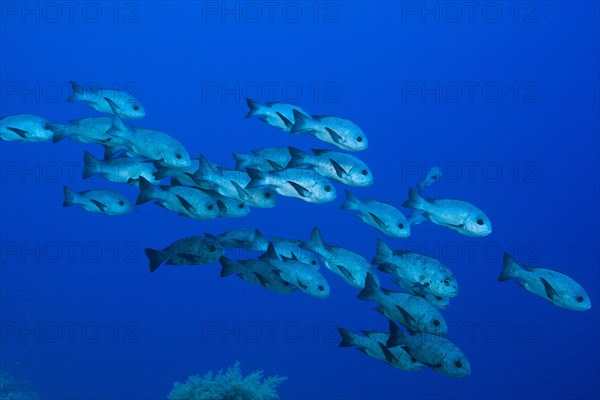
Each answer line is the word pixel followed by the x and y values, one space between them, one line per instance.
pixel 503 96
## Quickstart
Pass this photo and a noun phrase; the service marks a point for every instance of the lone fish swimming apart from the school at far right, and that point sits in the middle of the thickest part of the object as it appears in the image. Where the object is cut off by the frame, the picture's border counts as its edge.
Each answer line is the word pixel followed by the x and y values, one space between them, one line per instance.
pixel 551 285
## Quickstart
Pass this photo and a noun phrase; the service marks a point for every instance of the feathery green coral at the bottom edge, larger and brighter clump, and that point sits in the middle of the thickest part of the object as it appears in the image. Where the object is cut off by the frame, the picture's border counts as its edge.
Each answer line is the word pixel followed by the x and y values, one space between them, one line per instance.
pixel 228 385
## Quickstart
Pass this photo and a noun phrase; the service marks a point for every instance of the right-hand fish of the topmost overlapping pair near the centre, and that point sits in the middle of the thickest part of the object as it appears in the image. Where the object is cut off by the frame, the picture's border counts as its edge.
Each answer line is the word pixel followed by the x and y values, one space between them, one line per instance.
pixel 339 132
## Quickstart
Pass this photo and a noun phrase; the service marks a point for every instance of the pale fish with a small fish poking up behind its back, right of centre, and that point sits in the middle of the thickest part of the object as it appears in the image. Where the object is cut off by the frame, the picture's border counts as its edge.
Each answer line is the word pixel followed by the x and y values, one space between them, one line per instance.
pixel 457 215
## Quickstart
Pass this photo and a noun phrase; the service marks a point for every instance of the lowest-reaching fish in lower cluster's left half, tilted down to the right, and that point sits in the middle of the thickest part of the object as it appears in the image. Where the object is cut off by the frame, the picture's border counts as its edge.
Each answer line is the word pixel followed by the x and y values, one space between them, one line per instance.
pixel 302 276
